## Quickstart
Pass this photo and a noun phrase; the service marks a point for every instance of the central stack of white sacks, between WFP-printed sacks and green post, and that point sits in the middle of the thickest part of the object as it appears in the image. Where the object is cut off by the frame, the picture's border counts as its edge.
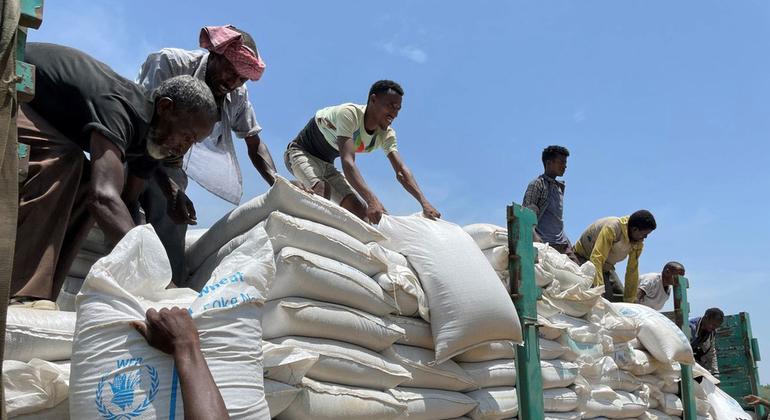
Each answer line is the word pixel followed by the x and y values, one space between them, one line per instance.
pixel 359 299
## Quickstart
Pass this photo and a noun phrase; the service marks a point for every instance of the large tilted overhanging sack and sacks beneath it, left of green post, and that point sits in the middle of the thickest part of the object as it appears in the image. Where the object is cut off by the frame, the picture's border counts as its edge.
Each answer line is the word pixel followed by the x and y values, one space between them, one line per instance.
pixel 471 318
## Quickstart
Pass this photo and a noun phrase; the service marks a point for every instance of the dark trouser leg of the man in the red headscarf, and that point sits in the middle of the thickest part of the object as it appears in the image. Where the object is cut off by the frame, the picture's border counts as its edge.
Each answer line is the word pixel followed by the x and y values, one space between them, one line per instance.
pixel 155 206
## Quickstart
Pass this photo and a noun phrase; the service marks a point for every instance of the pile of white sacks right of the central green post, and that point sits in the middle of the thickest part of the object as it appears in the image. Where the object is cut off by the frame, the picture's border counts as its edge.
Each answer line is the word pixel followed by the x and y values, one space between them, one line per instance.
pixel 601 348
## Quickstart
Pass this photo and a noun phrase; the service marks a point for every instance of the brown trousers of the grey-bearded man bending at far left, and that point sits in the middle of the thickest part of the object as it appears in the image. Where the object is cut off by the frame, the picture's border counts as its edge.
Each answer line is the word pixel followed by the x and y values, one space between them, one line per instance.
pixel 46 200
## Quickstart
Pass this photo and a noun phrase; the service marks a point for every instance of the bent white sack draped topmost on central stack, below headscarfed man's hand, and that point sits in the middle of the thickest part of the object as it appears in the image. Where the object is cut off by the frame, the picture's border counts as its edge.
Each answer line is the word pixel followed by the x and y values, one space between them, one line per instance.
pixel 284 197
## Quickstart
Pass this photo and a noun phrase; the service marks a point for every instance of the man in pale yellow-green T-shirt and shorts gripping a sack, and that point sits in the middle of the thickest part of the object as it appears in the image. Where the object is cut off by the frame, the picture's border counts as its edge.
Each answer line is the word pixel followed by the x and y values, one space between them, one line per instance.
pixel 342 131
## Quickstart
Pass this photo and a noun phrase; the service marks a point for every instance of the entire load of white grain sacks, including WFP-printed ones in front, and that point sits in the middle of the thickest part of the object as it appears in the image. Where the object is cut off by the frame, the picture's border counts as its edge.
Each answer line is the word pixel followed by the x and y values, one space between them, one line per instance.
pixel 332 318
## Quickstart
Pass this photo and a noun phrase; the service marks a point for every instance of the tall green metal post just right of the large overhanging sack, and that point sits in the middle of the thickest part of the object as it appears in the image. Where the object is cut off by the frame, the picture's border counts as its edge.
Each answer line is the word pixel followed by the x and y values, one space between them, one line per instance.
pixel 524 292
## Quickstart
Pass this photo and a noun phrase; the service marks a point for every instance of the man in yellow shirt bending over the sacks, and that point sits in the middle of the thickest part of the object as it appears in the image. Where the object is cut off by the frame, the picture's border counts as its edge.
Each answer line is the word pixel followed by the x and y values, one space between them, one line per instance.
pixel 609 241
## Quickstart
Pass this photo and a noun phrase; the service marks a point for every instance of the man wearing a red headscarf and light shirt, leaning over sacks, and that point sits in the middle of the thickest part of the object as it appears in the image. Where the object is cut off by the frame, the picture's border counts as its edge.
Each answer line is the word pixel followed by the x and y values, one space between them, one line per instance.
pixel 230 59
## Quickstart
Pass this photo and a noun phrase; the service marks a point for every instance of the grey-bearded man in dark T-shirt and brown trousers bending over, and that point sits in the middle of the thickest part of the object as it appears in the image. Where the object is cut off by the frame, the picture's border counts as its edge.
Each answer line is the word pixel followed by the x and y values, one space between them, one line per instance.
pixel 81 105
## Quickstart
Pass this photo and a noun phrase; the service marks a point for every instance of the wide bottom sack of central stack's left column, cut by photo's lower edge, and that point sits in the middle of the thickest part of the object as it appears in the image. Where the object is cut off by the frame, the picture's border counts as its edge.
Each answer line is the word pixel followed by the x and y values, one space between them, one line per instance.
pixel 325 401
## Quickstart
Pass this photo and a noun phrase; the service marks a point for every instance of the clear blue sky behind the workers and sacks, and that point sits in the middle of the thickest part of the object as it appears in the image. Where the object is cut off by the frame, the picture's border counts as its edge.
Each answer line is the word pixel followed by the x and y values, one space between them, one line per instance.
pixel 663 106
